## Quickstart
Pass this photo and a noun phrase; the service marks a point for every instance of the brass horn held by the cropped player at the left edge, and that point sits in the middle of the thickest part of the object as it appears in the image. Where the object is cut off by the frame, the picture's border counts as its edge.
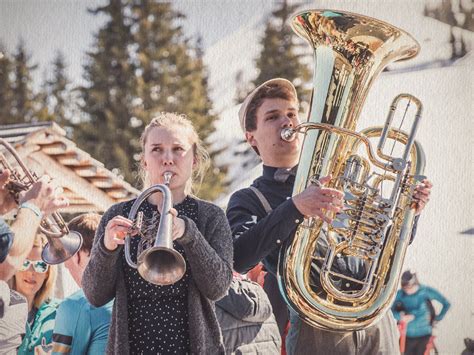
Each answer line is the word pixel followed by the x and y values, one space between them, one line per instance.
pixel 62 243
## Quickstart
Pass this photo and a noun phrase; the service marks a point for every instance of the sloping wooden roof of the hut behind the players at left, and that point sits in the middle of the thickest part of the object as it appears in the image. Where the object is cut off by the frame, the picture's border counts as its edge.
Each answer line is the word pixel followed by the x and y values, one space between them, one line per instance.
pixel 87 184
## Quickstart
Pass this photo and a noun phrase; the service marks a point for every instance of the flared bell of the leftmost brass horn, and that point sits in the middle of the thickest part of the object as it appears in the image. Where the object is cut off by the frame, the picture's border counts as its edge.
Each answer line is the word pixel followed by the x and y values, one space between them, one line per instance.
pixel 58 250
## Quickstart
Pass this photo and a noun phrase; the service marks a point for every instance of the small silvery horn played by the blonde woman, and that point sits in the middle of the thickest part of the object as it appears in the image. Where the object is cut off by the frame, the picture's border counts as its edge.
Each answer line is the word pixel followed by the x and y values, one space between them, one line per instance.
pixel 160 264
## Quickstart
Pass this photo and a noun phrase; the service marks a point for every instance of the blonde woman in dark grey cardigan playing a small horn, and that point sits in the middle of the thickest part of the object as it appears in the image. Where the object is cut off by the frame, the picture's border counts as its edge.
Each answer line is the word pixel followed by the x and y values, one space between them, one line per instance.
pixel 178 318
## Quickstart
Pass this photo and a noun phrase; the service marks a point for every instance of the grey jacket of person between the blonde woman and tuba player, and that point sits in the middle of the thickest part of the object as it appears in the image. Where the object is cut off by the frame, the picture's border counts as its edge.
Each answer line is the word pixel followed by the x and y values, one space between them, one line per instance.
pixel 247 321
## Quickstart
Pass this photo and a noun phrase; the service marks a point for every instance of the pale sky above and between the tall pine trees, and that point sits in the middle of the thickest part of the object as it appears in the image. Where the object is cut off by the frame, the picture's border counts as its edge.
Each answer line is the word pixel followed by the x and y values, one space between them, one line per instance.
pixel 52 25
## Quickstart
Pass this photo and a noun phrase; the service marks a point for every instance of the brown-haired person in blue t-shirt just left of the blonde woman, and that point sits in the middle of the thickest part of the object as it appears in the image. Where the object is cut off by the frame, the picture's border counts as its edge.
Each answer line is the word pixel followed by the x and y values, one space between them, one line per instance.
pixel 81 328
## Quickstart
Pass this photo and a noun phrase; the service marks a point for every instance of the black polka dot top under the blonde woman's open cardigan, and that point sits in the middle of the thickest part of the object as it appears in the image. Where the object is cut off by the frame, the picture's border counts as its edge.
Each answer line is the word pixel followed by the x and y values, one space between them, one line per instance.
pixel 158 315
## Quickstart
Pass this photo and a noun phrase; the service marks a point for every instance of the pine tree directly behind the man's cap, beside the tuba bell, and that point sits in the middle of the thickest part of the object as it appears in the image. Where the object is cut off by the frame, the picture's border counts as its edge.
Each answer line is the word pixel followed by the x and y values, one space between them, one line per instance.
pixel 279 56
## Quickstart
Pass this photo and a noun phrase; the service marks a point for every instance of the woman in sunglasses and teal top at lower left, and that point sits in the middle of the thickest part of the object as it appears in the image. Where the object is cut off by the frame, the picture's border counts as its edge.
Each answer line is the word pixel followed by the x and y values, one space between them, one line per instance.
pixel 35 280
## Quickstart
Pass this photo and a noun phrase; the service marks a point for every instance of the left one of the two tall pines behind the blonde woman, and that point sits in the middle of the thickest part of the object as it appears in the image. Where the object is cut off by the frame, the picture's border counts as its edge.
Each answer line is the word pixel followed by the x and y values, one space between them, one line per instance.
pixel 107 98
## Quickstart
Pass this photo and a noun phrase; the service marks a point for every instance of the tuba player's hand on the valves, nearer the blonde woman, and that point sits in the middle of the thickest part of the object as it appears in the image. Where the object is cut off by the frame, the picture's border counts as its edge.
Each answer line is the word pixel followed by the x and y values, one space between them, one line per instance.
pixel 317 201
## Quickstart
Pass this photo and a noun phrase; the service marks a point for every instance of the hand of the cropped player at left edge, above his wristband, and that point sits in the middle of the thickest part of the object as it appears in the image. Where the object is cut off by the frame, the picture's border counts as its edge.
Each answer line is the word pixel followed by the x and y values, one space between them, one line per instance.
pixel 43 195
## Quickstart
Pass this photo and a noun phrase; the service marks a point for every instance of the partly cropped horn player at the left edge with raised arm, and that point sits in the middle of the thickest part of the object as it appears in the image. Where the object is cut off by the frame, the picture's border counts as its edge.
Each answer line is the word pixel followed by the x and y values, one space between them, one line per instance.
pixel 16 241
